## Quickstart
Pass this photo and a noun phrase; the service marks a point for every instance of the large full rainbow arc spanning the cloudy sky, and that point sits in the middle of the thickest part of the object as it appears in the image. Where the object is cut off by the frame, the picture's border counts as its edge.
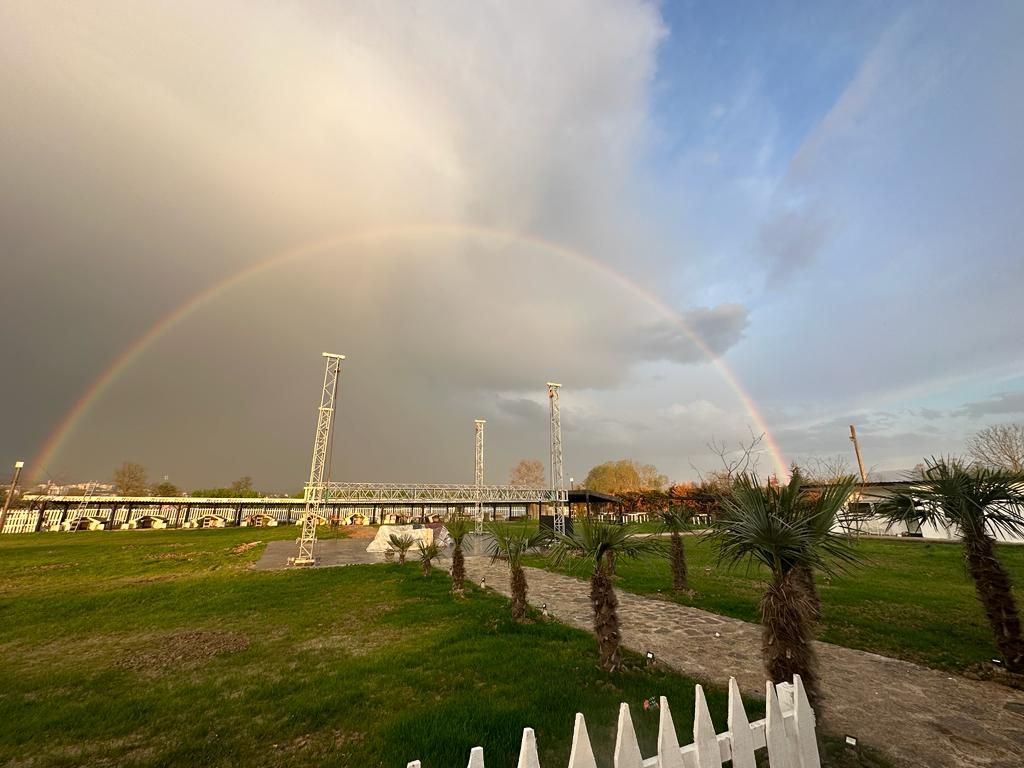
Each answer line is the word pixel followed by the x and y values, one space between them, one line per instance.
pixel 65 430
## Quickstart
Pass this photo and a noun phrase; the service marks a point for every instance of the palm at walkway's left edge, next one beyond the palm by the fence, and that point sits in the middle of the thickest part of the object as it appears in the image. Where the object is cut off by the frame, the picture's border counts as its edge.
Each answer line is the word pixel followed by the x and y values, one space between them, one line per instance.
pixel 601 543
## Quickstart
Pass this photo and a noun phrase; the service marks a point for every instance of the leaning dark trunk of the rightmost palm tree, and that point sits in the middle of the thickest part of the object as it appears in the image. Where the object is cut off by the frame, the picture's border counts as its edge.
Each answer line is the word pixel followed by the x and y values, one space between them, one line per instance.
pixel 994 587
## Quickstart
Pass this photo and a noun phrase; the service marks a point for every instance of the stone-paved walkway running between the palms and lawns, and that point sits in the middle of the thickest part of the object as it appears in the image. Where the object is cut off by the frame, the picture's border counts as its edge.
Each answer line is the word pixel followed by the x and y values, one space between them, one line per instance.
pixel 916 716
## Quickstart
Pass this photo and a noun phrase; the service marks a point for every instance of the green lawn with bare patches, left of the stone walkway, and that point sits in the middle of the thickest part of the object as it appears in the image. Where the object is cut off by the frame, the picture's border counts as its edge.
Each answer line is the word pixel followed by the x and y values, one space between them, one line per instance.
pixel 161 649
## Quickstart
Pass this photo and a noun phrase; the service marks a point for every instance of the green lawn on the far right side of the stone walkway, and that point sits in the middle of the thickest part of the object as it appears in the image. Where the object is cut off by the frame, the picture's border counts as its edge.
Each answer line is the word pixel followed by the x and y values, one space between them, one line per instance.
pixel 911 600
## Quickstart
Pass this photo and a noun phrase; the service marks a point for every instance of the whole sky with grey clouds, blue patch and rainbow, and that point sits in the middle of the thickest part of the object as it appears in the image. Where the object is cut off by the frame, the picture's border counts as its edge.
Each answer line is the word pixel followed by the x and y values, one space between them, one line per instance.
pixel 707 221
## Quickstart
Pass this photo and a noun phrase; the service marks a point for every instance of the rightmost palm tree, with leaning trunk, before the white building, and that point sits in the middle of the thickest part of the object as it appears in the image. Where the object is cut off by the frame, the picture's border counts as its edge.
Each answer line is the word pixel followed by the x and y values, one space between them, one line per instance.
pixel 979 503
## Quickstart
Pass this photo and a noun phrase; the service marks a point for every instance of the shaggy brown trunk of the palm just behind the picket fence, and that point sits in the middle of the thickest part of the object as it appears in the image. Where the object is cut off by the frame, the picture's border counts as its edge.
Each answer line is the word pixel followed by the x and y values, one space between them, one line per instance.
pixel 787 634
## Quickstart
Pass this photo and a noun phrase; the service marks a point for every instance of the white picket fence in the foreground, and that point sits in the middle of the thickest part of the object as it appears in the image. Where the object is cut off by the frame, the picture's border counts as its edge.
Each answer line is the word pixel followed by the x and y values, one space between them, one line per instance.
pixel 787 732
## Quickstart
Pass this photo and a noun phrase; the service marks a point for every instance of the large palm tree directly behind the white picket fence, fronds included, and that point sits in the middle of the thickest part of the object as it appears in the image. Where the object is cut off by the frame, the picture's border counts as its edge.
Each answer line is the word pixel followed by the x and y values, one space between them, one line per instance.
pixel 792 533
